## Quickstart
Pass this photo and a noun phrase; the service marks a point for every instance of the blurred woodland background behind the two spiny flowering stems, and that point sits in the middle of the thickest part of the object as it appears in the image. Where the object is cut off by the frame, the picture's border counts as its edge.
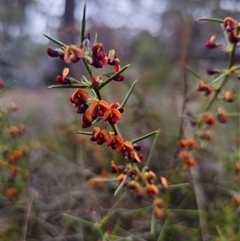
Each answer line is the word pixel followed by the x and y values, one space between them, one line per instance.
pixel 53 178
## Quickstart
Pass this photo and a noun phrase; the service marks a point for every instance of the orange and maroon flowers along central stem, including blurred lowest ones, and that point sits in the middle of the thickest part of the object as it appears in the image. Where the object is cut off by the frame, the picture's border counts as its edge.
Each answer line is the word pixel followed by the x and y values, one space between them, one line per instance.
pixel 95 108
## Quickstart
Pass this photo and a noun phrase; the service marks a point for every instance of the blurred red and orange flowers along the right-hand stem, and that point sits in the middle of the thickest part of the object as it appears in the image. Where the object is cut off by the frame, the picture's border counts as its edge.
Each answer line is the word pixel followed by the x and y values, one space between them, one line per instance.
pixel 206 120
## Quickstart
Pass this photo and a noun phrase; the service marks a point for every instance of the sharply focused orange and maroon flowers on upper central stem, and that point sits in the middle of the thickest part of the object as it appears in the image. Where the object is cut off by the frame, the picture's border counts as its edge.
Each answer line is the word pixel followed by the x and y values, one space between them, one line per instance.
pixel 95 108
